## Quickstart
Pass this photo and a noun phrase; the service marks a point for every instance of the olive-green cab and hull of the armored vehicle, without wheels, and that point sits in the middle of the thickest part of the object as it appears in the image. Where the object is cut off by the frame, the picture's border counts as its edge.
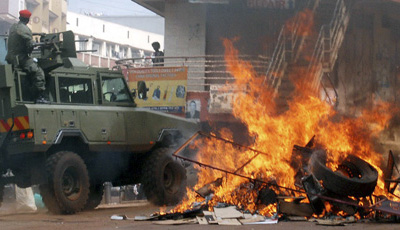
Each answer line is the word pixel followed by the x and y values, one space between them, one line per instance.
pixel 93 104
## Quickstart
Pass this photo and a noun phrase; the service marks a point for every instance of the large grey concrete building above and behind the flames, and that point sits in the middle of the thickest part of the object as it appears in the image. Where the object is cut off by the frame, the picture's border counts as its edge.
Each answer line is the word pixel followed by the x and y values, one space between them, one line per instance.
pixel 362 62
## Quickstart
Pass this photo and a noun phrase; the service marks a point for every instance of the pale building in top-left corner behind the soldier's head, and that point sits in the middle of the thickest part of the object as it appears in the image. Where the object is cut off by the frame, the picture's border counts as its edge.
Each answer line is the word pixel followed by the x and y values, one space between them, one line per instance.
pixel 48 16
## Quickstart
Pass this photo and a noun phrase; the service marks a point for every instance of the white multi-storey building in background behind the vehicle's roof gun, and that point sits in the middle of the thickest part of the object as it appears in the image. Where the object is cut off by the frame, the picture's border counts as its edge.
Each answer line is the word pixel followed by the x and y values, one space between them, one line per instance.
pixel 109 41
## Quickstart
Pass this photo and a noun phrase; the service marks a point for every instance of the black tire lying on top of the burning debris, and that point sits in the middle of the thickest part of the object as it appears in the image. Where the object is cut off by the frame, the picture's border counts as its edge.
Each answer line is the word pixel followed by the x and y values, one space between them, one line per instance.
pixel 354 177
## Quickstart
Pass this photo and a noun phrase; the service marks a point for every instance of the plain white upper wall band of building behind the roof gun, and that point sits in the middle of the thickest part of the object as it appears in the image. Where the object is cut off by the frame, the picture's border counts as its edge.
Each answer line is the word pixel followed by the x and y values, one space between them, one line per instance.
pixel 113 33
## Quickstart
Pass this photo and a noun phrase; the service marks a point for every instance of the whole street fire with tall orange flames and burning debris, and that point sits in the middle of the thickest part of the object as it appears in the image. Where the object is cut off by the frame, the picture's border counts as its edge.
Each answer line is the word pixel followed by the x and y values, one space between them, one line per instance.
pixel 308 161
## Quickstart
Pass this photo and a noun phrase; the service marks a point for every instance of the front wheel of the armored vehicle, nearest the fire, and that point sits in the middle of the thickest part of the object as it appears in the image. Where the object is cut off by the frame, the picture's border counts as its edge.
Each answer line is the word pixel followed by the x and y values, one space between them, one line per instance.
pixel 163 179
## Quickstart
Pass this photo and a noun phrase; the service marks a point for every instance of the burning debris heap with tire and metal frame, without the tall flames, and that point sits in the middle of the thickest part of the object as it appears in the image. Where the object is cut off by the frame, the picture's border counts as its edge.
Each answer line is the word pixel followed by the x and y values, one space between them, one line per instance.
pixel 326 196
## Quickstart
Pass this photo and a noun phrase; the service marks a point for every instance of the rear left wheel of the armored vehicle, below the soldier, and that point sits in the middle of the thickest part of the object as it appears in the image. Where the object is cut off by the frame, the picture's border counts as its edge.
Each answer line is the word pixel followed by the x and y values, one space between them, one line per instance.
pixel 67 189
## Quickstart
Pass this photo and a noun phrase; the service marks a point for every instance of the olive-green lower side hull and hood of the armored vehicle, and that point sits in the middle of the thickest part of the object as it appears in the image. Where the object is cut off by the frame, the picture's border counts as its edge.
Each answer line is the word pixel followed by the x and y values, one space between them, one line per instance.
pixel 104 127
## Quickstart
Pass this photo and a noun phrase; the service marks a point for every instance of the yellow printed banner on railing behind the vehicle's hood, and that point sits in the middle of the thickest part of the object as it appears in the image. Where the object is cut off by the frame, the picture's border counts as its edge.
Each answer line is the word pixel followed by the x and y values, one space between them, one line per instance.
pixel 161 88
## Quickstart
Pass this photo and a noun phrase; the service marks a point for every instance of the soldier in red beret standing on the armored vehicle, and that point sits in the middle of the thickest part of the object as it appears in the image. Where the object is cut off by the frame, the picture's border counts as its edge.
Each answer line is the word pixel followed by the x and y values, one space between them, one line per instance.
pixel 20 46
